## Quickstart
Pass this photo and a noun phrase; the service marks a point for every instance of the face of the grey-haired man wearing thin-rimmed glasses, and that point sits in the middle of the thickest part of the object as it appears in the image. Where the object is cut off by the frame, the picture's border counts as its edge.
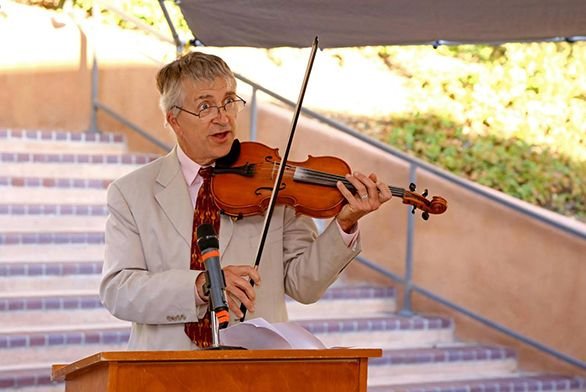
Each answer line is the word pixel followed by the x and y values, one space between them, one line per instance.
pixel 205 140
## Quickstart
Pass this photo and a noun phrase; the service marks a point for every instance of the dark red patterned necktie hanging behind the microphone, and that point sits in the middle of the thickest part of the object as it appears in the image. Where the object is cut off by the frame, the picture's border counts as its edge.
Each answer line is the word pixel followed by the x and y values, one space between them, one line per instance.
pixel 206 211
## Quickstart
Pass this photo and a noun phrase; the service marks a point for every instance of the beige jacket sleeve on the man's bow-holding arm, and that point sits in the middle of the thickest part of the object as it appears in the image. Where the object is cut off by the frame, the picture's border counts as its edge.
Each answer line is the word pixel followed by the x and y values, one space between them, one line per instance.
pixel 128 289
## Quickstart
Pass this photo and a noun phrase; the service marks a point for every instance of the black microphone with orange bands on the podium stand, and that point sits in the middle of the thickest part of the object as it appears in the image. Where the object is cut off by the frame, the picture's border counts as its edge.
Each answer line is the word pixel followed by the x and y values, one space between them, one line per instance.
pixel 215 282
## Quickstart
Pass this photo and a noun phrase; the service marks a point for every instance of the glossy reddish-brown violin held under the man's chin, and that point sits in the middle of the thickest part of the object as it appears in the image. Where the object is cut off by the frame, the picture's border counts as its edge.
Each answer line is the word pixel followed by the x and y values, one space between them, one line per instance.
pixel 242 184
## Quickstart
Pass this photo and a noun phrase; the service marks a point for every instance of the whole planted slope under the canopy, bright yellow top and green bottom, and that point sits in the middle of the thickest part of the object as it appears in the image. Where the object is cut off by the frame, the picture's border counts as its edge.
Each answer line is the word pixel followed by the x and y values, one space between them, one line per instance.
pixel 511 117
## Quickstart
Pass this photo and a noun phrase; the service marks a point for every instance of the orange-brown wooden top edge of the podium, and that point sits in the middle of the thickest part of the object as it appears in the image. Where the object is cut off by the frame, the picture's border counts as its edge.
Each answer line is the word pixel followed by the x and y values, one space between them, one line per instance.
pixel 60 371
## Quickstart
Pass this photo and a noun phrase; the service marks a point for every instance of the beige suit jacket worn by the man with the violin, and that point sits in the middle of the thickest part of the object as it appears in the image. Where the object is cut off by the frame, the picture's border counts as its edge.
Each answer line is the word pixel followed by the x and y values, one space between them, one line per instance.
pixel 146 277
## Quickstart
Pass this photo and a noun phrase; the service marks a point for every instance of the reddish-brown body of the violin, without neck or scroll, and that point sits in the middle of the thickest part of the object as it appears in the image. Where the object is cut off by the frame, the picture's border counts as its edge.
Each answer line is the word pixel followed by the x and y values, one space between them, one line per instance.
pixel 245 188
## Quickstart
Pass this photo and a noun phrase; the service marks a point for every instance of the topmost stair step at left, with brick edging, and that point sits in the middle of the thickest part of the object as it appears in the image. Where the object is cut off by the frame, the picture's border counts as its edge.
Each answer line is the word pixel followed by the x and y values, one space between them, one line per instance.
pixel 44 140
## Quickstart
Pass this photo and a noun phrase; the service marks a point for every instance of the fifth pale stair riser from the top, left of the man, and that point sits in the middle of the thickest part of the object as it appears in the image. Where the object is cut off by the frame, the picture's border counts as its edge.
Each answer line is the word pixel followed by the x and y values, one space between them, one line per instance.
pixel 49 253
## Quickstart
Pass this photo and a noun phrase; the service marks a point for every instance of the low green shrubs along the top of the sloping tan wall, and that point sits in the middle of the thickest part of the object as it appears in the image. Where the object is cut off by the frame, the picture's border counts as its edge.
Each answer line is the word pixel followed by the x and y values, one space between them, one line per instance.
pixel 532 173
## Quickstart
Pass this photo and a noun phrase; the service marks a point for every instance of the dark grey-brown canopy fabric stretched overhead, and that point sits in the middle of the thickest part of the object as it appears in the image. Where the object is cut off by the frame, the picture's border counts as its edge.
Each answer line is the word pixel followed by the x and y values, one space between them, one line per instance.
pixel 345 23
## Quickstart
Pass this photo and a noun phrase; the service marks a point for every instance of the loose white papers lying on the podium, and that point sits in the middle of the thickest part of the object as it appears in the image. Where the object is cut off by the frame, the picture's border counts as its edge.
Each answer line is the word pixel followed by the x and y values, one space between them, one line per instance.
pixel 259 334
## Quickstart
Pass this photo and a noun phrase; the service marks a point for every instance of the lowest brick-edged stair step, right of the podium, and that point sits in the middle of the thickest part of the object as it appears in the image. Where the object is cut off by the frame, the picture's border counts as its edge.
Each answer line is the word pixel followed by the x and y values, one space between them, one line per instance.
pixel 545 382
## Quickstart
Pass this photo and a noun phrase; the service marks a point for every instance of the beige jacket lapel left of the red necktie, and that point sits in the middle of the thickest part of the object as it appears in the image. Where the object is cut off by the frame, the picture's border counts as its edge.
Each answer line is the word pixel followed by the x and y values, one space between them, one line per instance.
pixel 173 196
